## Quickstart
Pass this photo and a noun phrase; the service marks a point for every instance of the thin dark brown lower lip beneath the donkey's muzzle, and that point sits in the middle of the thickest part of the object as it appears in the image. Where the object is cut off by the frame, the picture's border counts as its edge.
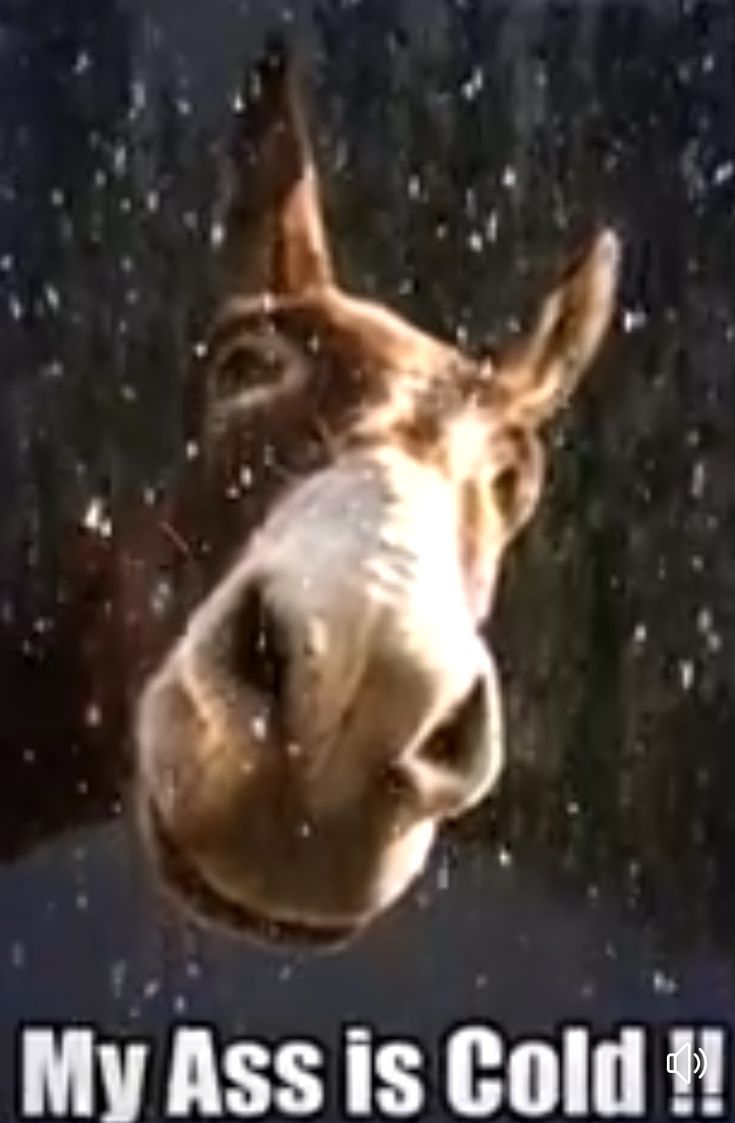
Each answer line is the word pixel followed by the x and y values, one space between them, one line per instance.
pixel 182 875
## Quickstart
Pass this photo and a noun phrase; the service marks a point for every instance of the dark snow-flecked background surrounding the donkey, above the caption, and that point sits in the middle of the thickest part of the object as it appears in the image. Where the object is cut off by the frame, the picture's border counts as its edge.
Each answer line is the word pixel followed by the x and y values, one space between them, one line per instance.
pixel 466 145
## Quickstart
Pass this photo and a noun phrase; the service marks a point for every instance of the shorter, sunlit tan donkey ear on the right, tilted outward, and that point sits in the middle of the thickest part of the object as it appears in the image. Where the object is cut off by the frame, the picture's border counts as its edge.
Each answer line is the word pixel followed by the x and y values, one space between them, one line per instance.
pixel 540 373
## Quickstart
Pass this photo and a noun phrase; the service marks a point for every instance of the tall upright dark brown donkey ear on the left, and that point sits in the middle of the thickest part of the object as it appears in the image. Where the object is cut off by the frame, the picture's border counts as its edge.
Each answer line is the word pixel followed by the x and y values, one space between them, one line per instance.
pixel 275 234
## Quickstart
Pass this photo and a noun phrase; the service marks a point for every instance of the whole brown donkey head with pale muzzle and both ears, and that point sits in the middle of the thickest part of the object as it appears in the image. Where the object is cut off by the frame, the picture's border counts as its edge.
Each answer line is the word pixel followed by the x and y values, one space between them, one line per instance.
pixel 332 700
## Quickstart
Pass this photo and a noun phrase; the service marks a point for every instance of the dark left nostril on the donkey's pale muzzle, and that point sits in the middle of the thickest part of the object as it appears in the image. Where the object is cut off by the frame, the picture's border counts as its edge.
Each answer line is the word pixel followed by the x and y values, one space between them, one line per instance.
pixel 258 655
